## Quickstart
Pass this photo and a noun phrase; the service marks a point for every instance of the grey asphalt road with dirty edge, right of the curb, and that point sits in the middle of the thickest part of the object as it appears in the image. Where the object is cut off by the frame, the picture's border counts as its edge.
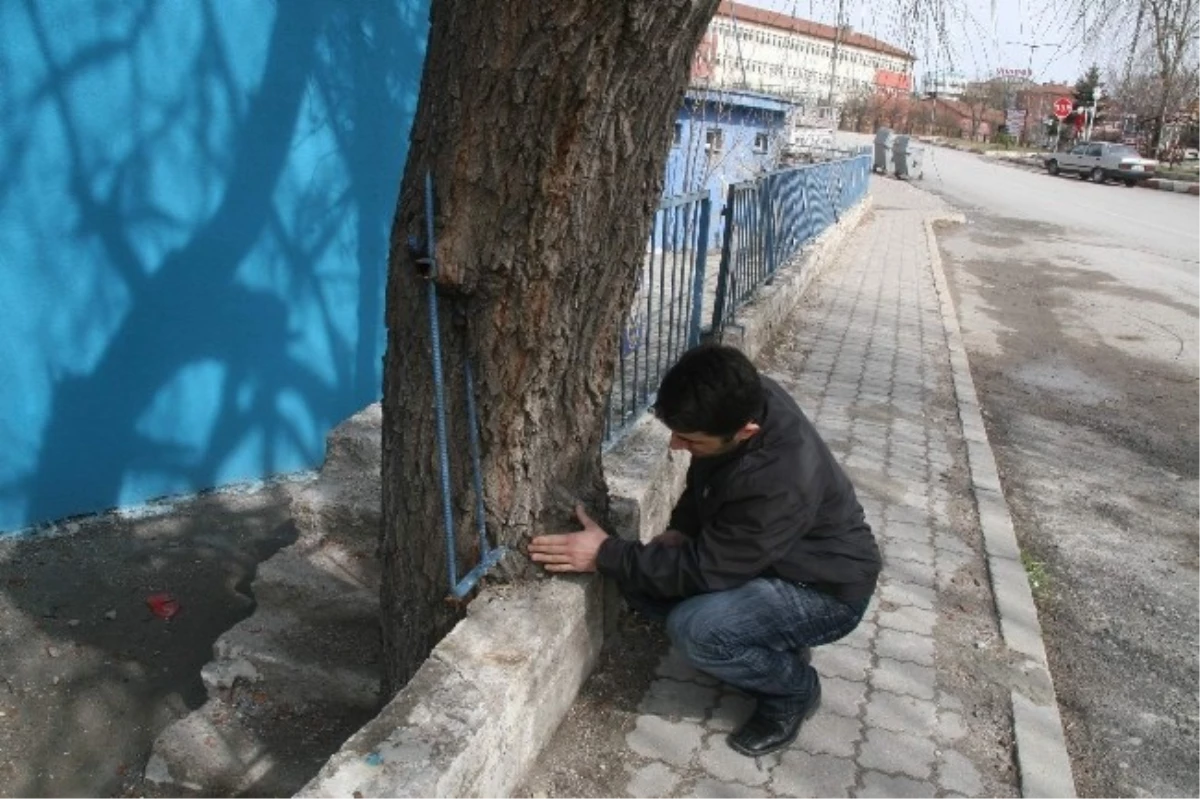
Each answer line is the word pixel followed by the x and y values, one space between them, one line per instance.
pixel 1081 307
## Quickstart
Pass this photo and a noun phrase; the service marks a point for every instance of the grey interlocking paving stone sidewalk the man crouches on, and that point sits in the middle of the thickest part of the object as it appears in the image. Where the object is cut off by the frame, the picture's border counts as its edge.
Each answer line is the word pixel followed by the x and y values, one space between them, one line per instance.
pixel 915 704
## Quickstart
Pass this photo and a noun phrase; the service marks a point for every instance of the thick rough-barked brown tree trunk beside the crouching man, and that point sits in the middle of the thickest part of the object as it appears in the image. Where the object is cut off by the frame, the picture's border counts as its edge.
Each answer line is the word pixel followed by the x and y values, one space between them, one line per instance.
pixel 547 128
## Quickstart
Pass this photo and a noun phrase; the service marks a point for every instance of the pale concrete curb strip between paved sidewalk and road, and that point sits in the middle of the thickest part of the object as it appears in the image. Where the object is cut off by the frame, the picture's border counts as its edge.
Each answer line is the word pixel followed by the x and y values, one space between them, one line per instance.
pixel 1041 744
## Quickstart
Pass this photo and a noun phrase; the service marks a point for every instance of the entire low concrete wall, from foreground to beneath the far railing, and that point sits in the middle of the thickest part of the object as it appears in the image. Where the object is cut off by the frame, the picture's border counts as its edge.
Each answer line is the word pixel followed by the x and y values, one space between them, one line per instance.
pixel 482 708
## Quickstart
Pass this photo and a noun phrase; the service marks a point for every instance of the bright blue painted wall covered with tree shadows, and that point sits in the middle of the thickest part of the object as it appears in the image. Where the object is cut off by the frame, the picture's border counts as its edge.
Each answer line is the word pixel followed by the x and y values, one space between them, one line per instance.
pixel 195 202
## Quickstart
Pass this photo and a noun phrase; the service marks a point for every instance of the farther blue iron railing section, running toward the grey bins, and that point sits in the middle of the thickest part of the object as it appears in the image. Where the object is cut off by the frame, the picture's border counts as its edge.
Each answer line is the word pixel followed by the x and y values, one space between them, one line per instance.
pixel 769 220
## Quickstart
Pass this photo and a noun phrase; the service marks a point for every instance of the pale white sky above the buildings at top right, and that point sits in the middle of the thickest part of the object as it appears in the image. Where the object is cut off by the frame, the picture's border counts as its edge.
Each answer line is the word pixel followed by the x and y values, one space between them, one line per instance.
pixel 977 34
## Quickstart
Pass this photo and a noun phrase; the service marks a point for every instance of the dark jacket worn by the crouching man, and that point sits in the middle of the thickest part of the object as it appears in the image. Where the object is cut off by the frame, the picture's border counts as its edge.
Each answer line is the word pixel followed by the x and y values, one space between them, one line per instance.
pixel 777 507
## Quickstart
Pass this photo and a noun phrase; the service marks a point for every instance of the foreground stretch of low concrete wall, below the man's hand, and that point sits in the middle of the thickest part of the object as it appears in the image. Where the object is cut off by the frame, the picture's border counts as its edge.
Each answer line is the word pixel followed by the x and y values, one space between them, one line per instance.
pixel 481 710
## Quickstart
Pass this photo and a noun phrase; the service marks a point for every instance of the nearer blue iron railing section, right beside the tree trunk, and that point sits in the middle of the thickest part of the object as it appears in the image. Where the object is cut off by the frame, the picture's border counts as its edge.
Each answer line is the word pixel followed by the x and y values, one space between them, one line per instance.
pixel 665 319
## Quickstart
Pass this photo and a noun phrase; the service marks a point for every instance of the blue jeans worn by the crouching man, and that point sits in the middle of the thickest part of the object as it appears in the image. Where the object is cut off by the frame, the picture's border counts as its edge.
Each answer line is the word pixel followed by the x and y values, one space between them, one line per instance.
pixel 751 636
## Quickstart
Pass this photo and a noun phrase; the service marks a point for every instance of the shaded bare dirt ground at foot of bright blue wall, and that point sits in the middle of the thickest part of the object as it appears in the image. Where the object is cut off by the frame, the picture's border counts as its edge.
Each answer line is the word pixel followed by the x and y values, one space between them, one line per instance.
pixel 91 676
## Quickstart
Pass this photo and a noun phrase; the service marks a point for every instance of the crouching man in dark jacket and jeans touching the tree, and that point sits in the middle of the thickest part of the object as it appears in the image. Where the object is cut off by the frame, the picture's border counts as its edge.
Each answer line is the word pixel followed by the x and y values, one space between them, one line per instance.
pixel 767 552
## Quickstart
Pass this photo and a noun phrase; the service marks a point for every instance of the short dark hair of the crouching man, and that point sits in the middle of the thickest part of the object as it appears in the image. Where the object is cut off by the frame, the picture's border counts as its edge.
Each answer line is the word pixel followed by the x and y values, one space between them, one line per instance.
pixel 712 389
